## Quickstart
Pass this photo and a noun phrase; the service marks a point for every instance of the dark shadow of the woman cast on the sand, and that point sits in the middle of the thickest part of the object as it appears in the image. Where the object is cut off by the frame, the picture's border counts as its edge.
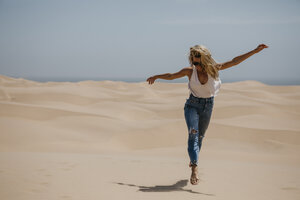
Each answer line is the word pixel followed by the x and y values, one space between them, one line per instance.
pixel 178 186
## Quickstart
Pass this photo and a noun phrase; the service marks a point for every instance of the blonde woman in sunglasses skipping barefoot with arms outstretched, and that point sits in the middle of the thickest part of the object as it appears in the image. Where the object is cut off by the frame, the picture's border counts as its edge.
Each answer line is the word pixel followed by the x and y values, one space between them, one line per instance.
pixel 204 84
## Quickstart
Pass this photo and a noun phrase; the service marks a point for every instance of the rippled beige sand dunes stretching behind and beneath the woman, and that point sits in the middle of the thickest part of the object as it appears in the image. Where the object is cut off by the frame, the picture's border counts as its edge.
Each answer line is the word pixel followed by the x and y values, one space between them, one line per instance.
pixel 115 140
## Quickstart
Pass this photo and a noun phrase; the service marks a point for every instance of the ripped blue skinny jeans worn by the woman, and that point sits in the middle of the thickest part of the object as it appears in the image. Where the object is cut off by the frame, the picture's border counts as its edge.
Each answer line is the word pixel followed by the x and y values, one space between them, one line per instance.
pixel 197 112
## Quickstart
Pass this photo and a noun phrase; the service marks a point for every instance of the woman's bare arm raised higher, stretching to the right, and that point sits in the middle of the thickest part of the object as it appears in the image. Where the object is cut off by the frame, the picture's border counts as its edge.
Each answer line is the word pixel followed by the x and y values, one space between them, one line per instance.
pixel 237 60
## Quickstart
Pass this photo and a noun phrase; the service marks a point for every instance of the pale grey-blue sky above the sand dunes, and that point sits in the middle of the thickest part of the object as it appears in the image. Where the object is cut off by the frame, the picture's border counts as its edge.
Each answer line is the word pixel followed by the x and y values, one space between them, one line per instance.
pixel 136 39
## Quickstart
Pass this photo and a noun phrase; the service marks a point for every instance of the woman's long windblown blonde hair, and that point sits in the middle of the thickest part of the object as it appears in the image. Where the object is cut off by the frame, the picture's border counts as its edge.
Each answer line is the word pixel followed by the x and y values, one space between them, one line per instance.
pixel 207 61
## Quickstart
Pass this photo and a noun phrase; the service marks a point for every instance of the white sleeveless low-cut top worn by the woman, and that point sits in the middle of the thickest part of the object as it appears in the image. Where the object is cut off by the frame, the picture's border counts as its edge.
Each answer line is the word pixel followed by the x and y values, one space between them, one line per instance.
pixel 209 89
